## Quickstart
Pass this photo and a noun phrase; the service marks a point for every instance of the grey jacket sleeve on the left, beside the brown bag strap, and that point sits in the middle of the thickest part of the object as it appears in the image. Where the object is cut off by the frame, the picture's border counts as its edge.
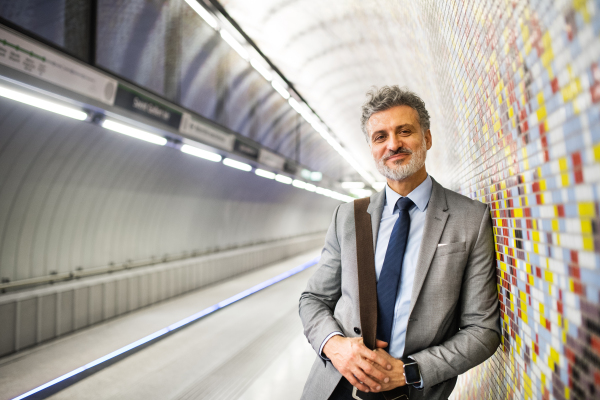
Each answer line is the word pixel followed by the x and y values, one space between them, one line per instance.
pixel 323 291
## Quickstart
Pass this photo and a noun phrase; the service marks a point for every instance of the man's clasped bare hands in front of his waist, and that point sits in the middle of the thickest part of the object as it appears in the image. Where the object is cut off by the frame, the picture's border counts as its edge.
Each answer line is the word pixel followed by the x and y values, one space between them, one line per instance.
pixel 367 370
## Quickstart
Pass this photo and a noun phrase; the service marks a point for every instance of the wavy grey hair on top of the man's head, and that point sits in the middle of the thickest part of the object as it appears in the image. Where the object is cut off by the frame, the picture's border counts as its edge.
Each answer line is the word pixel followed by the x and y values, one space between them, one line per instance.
pixel 387 97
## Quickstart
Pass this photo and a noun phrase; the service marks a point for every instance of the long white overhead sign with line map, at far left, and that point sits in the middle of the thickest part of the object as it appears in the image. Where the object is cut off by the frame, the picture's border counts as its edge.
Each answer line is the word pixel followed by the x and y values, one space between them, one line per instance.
pixel 27 56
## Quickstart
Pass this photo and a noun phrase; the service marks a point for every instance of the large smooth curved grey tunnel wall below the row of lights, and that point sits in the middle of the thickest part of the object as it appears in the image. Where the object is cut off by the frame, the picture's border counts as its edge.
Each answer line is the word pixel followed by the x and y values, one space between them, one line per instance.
pixel 75 196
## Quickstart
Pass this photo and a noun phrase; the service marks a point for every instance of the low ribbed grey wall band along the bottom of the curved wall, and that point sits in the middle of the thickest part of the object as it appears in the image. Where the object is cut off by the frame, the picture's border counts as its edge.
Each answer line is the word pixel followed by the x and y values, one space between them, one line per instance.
pixel 28 317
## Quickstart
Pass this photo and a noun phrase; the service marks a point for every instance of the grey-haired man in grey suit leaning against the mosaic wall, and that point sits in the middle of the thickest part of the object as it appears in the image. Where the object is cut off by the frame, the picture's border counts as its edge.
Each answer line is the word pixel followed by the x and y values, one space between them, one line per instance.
pixel 437 303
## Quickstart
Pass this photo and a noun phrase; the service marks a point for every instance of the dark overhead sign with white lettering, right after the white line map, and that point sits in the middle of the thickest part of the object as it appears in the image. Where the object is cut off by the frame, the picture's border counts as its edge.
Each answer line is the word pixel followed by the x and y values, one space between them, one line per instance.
pixel 138 103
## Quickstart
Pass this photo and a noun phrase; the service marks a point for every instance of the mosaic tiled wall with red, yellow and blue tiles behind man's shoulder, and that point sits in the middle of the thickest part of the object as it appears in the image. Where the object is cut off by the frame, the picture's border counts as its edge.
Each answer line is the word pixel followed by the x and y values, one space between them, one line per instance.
pixel 521 82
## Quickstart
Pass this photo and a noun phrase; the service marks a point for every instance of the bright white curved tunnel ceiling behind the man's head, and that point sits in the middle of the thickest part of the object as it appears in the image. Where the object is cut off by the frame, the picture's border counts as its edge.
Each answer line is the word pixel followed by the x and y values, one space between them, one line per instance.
pixel 334 52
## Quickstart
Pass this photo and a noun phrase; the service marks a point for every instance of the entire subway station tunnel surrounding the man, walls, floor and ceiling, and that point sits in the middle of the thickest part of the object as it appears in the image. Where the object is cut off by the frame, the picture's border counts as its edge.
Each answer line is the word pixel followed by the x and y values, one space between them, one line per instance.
pixel 169 170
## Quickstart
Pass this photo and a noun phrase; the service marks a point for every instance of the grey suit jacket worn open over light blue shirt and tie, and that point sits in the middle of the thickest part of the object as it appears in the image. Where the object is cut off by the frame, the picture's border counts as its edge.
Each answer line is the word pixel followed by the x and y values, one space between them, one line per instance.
pixel 454 321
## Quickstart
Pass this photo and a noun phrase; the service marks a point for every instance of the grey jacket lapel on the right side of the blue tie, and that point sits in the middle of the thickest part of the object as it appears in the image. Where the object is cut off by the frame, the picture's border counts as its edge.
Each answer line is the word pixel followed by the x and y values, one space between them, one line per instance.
pixel 435 221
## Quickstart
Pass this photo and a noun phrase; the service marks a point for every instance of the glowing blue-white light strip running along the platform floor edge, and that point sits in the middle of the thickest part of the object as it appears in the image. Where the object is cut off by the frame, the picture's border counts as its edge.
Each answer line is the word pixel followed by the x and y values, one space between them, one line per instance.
pixel 170 329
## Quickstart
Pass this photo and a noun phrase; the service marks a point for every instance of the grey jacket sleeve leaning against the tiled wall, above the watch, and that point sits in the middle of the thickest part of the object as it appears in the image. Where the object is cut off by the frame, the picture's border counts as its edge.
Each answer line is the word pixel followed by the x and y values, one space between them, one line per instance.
pixel 479 334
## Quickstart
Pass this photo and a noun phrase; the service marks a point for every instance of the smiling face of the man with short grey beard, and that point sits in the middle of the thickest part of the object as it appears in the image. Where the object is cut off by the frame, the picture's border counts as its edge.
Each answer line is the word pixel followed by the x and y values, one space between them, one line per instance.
pixel 397 144
